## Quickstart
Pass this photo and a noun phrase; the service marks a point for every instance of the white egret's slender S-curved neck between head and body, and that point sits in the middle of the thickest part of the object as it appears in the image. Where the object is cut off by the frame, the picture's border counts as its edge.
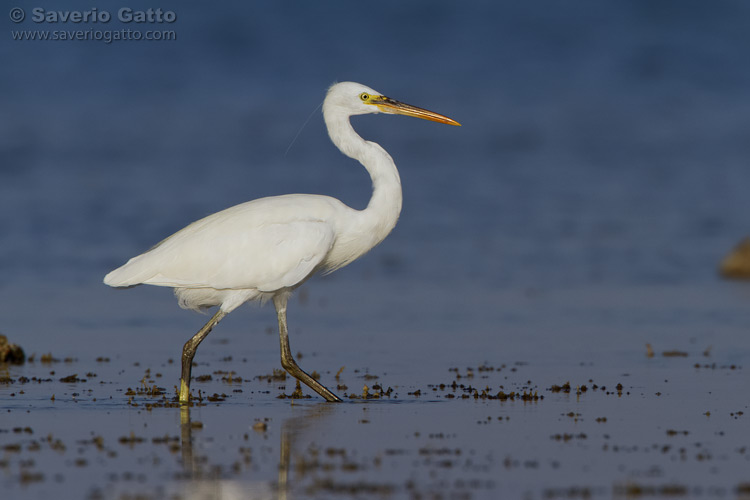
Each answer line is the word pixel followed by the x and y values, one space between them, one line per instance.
pixel 384 208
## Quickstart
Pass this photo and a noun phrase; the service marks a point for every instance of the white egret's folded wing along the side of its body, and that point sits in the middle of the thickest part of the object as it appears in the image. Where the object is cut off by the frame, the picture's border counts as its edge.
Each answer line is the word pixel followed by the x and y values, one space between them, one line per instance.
pixel 223 256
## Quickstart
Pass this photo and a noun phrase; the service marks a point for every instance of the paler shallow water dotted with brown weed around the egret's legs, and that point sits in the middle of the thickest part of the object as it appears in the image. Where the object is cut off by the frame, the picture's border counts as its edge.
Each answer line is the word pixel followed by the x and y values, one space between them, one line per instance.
pixel 626 401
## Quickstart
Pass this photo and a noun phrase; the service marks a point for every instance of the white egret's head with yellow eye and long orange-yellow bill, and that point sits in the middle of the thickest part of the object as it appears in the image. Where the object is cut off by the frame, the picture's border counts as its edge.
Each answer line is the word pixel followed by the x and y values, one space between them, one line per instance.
pixel 351 98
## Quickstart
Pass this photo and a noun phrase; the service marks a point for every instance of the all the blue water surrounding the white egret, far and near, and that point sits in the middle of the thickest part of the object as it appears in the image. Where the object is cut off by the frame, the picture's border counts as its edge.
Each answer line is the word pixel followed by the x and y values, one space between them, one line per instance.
pixel 575 219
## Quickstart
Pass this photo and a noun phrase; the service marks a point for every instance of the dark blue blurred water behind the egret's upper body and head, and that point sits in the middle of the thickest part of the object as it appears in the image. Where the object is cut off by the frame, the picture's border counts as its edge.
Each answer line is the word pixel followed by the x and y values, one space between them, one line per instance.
pixel 602 143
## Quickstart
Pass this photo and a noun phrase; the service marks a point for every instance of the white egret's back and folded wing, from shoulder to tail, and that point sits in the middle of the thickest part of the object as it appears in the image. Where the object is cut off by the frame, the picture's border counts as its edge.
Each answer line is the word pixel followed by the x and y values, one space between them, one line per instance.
pixel 263 244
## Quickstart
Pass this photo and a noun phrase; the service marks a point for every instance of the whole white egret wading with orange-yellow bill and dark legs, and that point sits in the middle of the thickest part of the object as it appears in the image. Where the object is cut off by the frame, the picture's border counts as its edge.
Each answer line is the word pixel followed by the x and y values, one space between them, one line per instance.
pixel 264 249
